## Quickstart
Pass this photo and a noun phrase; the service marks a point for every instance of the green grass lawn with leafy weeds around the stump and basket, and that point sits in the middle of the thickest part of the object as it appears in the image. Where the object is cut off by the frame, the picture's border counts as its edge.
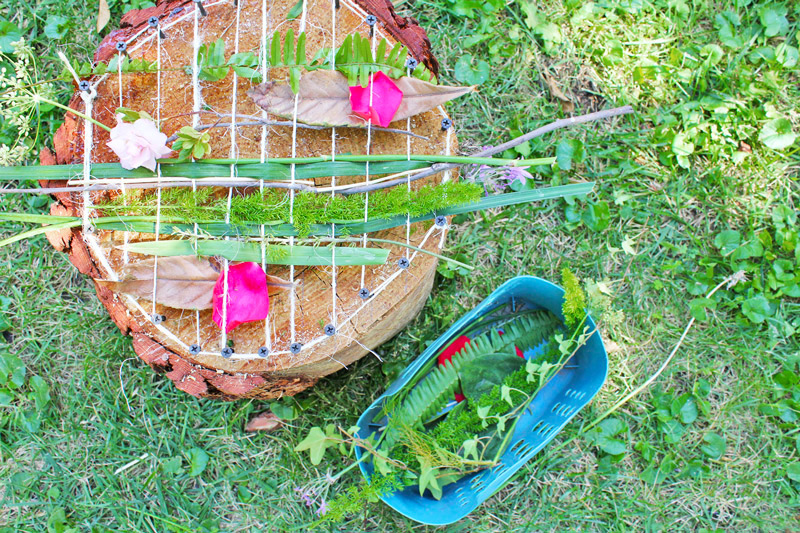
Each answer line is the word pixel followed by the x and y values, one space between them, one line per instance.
pixel 699 185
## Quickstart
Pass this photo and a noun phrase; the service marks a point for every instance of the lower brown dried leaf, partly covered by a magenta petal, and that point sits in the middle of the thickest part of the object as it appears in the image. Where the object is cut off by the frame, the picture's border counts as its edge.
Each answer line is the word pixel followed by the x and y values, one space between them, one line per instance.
pixel 184 282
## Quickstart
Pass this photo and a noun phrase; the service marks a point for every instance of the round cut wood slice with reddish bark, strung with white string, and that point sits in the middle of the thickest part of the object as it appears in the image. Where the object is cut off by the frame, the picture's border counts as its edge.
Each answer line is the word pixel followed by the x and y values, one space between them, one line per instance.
pixel 360 324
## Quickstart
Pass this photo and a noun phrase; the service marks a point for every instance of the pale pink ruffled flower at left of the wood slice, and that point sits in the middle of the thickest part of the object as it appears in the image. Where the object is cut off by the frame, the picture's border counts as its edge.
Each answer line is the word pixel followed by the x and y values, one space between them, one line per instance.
pixel 138 144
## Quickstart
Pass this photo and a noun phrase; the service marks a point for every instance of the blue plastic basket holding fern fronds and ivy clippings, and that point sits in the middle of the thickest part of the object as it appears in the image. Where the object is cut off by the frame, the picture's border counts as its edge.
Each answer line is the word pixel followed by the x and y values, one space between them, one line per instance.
pixel 560 400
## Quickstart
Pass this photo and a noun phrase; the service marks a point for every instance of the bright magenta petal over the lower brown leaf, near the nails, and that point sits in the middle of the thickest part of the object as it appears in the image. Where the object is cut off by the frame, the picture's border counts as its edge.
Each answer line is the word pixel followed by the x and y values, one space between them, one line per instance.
pixel 248 299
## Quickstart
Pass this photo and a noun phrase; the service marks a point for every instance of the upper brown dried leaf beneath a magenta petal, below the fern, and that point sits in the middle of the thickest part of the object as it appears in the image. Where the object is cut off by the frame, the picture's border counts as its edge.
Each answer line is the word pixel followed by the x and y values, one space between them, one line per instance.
pixel 325 98
